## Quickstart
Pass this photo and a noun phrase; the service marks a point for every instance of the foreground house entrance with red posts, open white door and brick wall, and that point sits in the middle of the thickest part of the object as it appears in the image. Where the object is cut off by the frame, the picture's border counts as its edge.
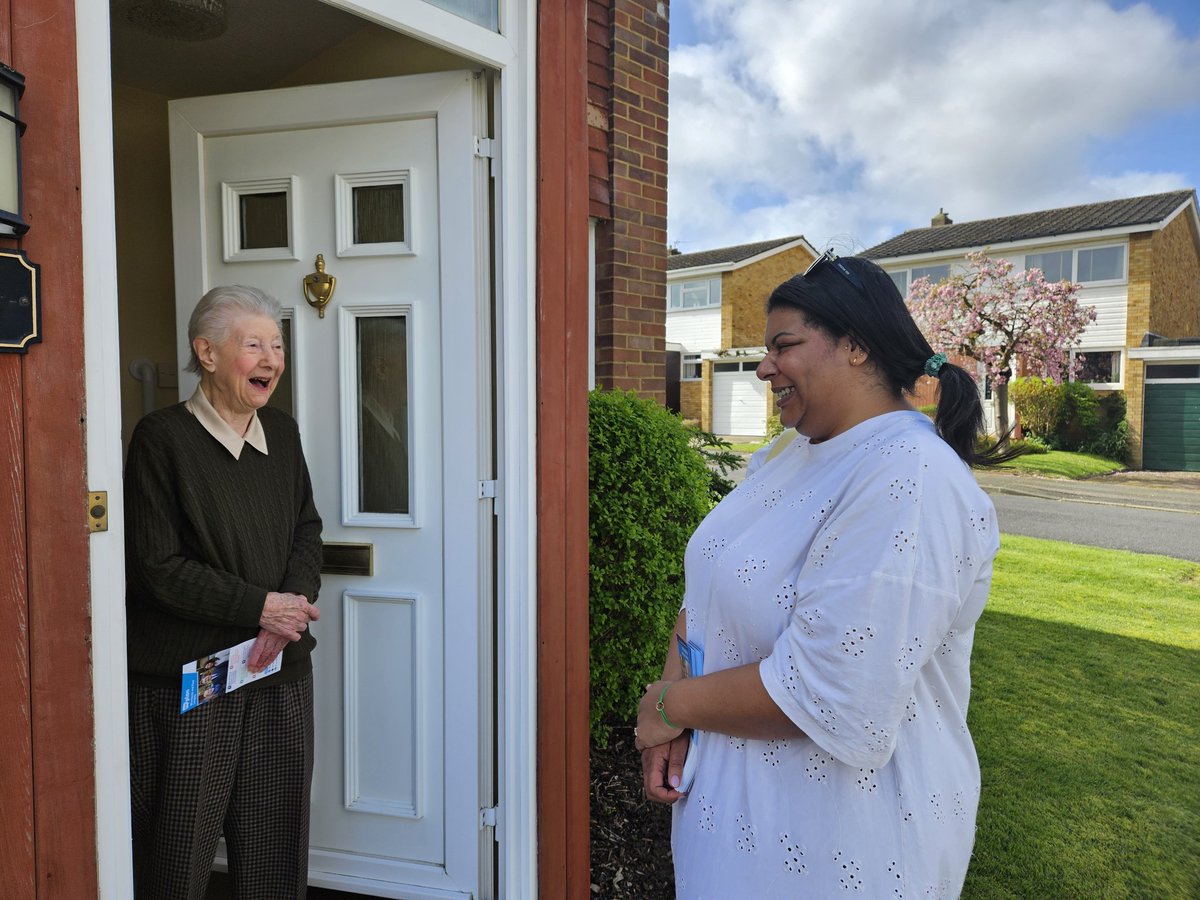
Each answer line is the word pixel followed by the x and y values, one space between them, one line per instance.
pixel 488 183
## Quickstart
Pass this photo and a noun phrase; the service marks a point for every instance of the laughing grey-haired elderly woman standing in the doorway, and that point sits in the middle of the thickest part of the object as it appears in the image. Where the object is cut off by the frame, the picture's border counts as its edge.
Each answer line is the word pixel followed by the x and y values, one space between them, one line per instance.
pixel 224 547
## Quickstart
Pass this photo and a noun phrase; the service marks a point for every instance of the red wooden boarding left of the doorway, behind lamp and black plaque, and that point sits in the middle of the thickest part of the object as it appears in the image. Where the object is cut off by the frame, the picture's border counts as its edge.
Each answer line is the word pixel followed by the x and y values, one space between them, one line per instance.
pixel 49 832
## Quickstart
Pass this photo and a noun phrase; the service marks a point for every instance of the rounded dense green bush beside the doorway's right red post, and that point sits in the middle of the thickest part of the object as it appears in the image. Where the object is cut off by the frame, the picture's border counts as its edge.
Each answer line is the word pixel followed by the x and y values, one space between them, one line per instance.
pixel 650 489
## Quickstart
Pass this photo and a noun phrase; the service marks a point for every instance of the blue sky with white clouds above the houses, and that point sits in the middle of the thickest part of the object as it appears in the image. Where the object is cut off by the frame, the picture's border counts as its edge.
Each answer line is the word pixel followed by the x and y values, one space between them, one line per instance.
pixel 850 122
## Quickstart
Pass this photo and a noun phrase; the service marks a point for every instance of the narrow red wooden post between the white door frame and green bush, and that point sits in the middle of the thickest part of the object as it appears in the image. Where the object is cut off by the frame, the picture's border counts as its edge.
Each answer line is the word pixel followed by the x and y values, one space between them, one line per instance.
pixel 562 393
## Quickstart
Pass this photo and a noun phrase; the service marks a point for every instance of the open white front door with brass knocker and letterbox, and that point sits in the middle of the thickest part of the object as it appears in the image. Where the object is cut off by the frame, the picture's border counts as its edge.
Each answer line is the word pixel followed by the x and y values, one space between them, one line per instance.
pixel 392 393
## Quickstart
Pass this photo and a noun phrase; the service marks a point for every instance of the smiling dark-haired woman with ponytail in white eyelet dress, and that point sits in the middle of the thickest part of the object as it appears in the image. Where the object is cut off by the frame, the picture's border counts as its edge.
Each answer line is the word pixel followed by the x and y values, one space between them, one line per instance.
pixel 835 595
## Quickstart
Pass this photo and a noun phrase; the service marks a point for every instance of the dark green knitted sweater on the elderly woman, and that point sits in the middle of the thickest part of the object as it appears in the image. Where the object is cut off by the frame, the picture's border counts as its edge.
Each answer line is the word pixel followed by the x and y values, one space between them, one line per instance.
pixel 208 537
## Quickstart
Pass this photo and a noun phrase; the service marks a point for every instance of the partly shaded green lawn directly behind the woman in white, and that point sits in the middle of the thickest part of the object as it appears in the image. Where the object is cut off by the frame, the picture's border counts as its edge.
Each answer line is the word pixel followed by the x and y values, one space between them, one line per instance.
pixel 1087 715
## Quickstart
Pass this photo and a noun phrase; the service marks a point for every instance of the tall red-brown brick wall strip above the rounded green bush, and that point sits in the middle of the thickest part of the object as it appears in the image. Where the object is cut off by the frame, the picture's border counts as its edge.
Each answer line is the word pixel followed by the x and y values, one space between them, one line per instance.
pixel 628 95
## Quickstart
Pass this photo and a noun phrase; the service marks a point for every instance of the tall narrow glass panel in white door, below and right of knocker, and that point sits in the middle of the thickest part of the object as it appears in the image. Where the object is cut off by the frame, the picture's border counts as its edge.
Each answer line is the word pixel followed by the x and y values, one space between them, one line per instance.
pixel 383 415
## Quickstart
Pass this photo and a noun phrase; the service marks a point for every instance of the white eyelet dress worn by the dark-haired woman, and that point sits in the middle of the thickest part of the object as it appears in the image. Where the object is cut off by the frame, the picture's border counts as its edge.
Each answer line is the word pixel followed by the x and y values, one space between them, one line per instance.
pixel 853 572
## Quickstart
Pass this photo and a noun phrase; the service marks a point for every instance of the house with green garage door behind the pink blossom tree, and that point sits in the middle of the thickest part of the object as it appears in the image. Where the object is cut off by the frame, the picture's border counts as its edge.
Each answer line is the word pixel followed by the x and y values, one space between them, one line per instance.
pixel 1138 262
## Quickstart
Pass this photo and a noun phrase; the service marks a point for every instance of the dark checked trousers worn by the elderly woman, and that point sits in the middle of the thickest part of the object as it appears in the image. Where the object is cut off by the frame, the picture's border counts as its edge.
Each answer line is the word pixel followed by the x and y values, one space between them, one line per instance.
pixel 239 766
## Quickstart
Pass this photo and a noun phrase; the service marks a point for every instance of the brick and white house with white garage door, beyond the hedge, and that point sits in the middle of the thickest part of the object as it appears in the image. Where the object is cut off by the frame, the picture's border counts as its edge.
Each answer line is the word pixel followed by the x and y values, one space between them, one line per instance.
pixel 717 311
